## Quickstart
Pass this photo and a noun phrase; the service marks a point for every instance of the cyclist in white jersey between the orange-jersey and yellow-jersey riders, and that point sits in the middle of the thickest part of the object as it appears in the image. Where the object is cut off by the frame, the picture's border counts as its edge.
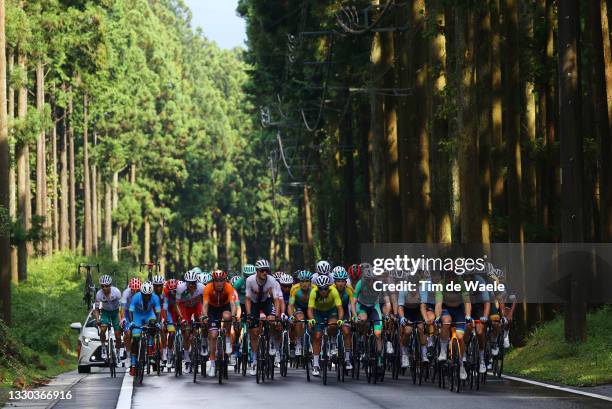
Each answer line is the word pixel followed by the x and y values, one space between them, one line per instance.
pixel 263 295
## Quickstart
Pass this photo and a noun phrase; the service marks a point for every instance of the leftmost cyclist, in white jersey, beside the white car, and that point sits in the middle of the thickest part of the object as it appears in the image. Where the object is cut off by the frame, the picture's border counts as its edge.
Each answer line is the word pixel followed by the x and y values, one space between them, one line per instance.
pixel 108 299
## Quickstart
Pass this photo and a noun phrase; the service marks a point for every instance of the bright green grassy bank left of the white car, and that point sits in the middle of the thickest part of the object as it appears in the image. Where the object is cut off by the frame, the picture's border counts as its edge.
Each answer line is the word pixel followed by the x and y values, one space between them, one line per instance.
pixel 39 344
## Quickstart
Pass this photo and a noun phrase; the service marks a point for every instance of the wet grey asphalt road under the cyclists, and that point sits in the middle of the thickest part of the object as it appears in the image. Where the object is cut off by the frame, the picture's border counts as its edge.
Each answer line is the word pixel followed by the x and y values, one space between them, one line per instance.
pixel 99 391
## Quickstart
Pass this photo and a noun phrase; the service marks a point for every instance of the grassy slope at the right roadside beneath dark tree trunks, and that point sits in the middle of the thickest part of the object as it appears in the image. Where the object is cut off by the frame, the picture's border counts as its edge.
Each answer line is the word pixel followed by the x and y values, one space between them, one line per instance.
pixel 548 357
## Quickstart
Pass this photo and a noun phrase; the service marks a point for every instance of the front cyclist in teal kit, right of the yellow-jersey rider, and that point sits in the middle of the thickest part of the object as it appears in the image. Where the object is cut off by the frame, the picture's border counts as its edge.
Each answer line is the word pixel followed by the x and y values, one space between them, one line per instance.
pixel 367 302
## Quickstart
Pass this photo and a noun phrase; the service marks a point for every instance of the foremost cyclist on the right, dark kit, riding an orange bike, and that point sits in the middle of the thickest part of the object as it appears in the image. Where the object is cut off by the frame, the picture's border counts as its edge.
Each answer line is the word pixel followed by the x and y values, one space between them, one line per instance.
pixel 453 306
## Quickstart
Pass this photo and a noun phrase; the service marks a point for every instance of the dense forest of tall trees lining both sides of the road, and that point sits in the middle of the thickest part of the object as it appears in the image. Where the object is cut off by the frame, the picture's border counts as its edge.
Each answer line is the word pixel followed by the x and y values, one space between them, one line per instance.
pixel 123 129
